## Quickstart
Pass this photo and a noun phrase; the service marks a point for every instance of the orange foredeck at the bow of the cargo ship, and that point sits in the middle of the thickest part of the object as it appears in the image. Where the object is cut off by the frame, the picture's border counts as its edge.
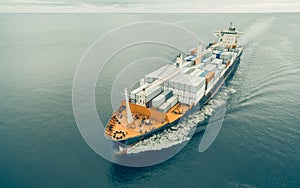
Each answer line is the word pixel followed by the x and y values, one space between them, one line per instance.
pixel 143 122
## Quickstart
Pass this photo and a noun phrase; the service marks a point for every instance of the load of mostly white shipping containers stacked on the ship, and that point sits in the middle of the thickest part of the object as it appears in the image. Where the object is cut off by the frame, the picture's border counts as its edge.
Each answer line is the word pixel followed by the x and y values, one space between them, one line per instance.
pixel 190 84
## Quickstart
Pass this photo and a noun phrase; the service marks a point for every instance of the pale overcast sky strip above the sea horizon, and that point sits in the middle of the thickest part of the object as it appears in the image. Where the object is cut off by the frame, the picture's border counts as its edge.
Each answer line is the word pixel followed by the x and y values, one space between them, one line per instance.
pixel 155 6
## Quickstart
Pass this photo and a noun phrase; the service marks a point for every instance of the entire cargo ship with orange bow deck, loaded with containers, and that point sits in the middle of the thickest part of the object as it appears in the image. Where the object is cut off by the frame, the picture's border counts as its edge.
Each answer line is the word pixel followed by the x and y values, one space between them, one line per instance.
pixel 172 92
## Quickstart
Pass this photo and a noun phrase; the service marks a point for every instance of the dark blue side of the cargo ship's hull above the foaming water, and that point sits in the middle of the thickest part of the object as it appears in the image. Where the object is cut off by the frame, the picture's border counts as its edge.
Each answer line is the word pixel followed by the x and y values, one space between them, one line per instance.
pixel 227 75
